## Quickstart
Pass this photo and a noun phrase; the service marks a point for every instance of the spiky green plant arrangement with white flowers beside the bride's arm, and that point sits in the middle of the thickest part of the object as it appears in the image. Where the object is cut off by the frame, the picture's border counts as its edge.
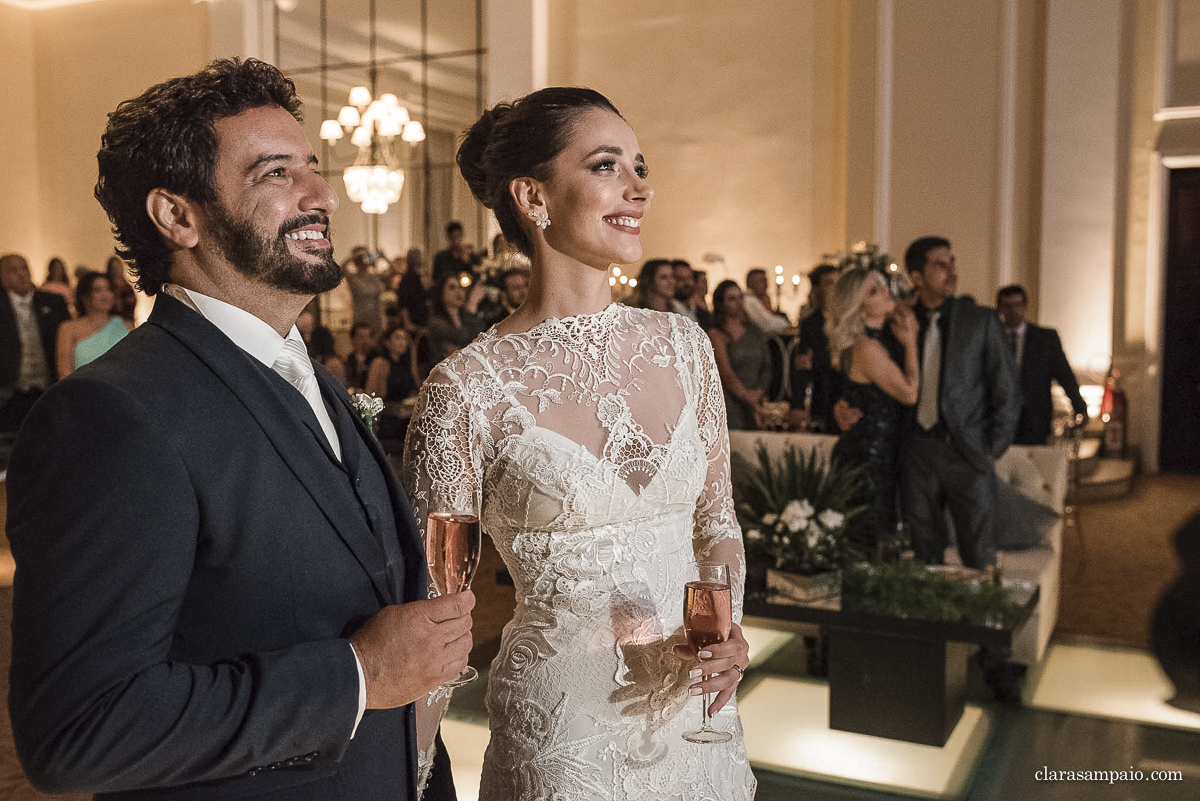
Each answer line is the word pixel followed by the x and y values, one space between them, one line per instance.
pixel 795 513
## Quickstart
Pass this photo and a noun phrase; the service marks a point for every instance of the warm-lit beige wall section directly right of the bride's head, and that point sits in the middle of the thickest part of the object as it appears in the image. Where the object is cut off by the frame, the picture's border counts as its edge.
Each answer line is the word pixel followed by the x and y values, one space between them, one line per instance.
pixel 739 111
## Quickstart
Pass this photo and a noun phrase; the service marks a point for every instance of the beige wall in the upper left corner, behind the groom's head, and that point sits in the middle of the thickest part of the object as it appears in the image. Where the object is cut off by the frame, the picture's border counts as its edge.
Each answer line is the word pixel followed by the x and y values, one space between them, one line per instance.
pixel 68 69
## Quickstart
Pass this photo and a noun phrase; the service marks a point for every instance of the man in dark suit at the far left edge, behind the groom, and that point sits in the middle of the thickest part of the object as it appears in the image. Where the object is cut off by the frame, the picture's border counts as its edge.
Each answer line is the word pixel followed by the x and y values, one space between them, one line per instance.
pixel 29 332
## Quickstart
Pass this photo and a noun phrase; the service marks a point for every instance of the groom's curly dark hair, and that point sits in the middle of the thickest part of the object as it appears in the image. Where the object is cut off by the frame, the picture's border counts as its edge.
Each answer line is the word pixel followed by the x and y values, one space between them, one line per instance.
pixel 165 140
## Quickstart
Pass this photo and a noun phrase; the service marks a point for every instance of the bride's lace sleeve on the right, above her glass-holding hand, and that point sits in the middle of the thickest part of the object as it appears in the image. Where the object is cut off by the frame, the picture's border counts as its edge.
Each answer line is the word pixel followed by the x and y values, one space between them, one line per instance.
pixel 718 537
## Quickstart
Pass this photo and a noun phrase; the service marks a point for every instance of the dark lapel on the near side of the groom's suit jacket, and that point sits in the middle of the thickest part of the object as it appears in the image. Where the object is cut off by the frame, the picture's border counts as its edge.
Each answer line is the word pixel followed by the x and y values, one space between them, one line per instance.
pixel 277 407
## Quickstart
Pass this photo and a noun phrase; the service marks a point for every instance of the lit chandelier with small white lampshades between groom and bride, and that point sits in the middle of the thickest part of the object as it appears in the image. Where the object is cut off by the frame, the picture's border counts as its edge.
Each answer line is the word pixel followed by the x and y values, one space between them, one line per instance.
pixel 375 180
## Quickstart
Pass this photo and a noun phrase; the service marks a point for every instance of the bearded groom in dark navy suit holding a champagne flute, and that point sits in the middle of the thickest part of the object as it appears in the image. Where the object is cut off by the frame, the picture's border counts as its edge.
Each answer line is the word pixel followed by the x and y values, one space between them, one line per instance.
pixel 220 588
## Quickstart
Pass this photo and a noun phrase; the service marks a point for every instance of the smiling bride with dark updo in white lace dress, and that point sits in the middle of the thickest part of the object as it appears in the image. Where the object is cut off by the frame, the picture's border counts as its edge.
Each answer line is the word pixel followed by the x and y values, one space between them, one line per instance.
pixel 595 437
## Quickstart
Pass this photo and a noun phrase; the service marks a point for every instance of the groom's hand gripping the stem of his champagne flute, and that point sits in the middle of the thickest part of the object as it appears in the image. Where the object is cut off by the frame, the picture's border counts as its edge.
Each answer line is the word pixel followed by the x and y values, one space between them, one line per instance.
pixel 409 651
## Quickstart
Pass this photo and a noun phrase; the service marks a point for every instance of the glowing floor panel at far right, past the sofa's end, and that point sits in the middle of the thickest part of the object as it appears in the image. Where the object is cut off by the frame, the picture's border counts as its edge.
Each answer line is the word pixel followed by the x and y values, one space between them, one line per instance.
pixel 1113 683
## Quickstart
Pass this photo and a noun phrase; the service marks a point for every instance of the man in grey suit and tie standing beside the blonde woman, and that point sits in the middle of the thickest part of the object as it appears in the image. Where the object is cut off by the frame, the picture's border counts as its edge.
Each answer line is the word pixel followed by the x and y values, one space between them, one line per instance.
pixel 967 414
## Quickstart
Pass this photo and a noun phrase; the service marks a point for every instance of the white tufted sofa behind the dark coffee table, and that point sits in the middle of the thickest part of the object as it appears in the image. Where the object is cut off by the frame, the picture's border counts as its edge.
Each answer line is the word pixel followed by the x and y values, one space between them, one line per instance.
pixel 1037 473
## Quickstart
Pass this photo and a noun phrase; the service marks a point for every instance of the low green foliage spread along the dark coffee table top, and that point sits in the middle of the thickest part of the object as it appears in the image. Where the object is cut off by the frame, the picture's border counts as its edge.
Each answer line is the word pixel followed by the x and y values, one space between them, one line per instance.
pixel 907 589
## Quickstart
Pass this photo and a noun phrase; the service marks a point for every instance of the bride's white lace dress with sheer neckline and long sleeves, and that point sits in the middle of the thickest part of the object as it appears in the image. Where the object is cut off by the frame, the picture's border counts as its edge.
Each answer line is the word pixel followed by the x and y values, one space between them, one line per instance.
pixel 601 450
